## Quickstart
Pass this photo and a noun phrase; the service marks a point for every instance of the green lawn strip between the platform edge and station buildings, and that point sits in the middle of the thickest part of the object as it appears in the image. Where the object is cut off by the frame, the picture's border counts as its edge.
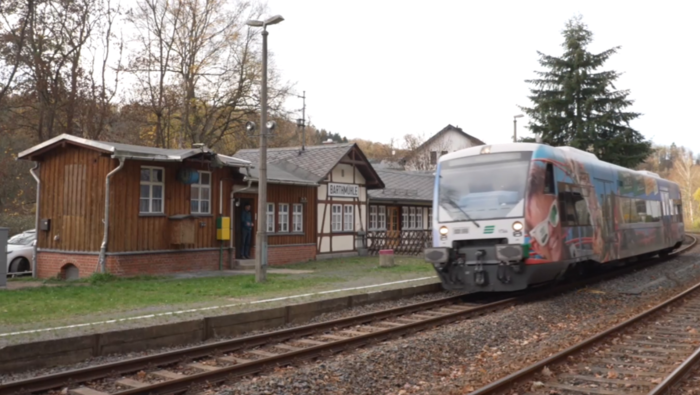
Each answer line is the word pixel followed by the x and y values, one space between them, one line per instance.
pixel 106 294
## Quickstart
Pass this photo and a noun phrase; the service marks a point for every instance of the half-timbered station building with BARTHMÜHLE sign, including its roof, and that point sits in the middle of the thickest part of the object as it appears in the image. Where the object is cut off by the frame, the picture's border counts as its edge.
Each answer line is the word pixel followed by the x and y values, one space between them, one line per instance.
pixel 340 177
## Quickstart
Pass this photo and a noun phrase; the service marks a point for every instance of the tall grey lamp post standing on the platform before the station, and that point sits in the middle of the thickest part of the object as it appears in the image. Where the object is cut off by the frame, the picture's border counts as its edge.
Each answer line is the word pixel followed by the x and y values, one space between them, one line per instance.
pixel 261 239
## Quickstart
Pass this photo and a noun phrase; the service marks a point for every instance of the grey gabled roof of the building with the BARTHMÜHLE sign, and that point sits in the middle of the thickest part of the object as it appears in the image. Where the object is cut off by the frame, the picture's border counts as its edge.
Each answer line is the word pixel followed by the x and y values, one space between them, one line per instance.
pixel 312 164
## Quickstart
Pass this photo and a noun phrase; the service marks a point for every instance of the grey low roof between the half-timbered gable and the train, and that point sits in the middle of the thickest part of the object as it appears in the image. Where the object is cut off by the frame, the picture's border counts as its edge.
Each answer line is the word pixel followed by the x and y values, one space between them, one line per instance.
pixel 405 185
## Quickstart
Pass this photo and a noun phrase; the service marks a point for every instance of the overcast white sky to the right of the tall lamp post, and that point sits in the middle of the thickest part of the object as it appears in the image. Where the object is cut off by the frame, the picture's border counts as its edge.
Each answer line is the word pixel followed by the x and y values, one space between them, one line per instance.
pixel 380 69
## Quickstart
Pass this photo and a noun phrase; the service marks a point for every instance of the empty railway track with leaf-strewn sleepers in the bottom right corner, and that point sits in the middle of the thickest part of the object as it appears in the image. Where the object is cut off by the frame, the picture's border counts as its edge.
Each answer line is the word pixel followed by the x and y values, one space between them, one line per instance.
pixel 647 354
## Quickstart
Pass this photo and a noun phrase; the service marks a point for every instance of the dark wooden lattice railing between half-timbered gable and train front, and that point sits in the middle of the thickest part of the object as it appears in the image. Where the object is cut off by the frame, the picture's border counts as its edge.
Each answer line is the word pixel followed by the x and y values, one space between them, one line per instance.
pixel 404 242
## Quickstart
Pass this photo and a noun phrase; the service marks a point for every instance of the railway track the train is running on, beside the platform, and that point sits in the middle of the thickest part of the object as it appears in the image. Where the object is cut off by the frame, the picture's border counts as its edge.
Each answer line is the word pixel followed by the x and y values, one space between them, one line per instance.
pixel 176 371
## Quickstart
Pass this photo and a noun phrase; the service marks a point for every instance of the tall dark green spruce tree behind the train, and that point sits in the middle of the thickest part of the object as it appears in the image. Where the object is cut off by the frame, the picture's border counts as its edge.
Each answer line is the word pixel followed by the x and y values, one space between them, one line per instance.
pixel 577 104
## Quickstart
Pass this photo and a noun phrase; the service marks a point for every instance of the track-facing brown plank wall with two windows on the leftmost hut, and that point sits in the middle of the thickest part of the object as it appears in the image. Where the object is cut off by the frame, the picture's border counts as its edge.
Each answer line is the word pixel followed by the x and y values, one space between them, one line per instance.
pixel 130 231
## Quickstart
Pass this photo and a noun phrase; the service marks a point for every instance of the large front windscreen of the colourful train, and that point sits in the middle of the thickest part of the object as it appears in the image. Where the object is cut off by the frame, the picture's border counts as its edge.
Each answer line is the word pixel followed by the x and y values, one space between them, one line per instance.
pixel 480 187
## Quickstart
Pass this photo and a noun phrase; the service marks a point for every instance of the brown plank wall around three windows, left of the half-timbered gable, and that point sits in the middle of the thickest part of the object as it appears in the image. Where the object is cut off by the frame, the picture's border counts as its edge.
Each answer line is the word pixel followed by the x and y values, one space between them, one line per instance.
pixel 292 194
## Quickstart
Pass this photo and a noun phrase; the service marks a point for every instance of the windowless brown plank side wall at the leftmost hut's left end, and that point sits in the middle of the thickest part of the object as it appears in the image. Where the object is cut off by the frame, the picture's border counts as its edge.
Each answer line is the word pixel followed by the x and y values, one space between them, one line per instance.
pixel 72 197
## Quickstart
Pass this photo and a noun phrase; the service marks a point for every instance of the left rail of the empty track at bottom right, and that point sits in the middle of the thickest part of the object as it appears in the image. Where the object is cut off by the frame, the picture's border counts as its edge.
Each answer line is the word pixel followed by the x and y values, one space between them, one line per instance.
pixel 513 378
